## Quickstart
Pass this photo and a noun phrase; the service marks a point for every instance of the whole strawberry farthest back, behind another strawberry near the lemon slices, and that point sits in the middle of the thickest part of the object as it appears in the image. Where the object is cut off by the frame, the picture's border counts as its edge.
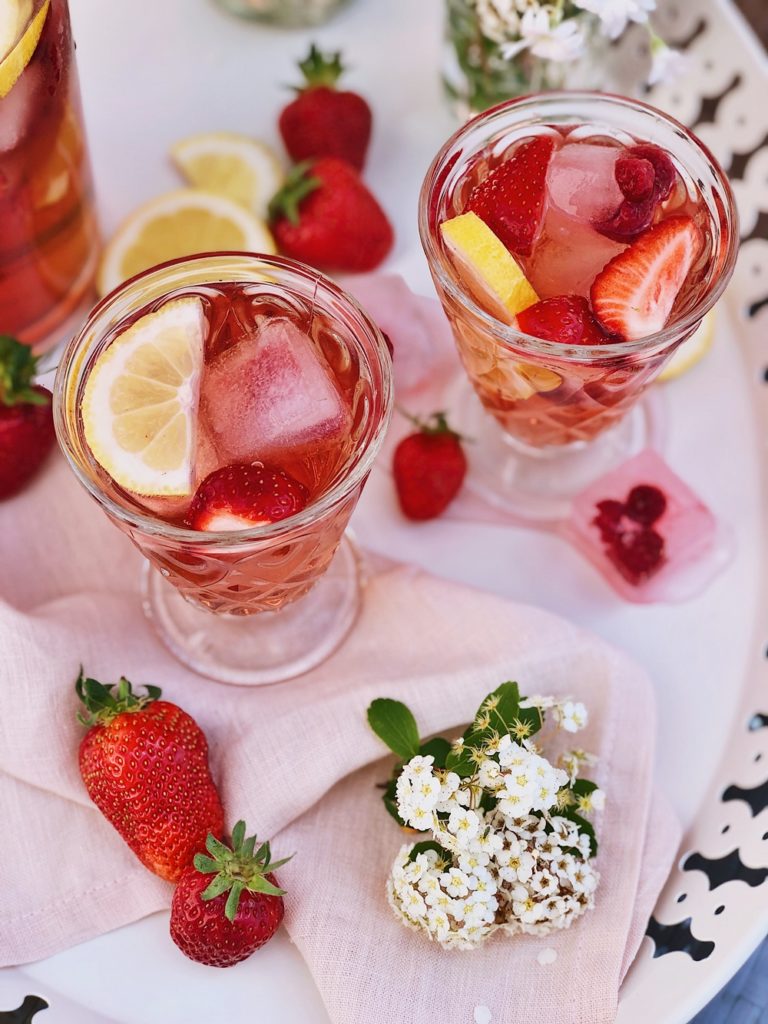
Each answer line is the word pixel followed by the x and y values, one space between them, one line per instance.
pixel 323 121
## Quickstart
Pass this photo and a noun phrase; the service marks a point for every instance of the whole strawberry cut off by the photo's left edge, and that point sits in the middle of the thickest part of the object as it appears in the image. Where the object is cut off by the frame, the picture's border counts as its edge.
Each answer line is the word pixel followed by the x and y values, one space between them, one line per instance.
pixel 26 419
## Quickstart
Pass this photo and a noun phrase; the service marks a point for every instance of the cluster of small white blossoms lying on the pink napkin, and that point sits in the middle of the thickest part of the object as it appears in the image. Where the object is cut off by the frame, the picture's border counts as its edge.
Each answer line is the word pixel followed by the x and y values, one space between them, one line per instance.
pixel 521 867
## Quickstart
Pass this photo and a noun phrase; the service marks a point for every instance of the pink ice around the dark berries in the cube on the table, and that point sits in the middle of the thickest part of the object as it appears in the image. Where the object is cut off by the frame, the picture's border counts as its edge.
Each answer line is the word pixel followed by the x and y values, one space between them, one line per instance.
pixel 693 547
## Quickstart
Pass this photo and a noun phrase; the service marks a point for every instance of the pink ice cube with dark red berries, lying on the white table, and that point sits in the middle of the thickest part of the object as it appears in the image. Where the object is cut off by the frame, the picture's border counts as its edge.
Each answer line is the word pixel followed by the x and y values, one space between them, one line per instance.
pixel 650 535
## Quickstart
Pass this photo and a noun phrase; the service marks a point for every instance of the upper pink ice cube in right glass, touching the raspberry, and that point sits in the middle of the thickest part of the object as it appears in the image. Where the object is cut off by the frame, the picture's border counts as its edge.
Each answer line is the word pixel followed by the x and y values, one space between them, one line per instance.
pixel 582 183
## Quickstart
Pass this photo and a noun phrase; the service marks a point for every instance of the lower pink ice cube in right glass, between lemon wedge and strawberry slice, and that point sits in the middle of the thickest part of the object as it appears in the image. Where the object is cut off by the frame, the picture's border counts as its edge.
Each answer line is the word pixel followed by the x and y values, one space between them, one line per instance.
pixel 569 257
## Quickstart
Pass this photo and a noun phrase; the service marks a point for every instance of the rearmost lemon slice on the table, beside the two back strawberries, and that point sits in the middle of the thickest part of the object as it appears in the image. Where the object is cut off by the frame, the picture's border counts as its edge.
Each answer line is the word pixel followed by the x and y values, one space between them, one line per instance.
pixel 241 168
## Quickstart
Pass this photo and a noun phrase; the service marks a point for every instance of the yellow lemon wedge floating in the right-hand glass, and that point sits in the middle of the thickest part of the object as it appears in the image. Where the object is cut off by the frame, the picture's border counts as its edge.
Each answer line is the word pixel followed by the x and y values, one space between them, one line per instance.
pixel 489 269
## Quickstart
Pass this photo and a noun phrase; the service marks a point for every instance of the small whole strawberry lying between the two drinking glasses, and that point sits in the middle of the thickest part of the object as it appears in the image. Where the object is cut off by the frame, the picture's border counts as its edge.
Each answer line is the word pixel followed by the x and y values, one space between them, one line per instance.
pixel 430 468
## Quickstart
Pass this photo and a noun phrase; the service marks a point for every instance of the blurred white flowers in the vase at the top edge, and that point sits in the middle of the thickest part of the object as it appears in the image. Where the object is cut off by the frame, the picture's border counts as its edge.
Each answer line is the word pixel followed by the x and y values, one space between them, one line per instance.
pixel 543 30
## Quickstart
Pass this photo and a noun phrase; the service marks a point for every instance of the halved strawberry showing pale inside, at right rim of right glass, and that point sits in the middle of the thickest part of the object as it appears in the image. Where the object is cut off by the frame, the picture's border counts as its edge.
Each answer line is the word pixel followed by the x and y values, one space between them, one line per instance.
pixel 634 294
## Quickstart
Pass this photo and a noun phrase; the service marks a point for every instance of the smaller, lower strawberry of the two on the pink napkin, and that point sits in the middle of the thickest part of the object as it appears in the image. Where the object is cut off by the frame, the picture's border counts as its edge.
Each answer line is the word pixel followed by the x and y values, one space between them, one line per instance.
pixel 223 921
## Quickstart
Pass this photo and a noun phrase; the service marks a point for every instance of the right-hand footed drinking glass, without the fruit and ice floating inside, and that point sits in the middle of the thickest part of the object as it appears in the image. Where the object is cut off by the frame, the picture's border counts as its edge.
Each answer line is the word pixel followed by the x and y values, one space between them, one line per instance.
pixel 550 418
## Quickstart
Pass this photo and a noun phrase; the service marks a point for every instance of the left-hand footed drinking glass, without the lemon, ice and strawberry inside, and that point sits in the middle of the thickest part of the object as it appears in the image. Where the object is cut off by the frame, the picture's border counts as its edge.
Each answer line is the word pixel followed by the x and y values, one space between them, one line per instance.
pixel 271 603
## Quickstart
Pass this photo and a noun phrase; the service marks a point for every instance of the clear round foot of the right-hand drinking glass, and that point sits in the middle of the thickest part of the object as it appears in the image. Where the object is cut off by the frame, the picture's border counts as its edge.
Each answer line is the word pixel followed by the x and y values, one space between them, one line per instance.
pixel 539 485
